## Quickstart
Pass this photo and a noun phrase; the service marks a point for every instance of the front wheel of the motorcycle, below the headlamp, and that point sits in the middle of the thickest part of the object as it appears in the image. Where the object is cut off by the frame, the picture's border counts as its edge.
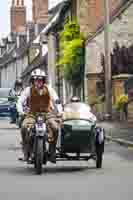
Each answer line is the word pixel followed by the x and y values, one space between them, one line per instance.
pixel 39 156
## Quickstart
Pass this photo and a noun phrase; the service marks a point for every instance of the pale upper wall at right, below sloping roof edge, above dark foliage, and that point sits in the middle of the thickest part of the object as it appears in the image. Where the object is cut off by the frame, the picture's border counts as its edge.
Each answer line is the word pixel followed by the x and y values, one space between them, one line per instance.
pixel 120 30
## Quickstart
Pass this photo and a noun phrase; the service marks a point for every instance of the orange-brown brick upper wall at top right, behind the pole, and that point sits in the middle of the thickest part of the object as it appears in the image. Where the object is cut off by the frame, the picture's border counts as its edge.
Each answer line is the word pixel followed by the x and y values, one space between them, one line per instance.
pixel 91 13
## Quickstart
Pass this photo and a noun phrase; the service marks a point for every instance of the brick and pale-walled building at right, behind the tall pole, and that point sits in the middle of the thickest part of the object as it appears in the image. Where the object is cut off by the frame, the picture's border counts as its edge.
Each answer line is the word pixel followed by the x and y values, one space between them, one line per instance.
pixel 90 14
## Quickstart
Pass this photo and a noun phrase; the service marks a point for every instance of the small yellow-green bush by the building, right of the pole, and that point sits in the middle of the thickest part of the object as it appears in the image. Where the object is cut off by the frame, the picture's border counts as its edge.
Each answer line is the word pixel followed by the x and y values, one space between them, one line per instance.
pixel 120 102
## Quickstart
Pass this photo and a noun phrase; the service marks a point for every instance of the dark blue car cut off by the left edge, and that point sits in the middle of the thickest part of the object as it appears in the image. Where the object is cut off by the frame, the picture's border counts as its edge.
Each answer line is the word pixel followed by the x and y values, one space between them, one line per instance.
pixel 4 103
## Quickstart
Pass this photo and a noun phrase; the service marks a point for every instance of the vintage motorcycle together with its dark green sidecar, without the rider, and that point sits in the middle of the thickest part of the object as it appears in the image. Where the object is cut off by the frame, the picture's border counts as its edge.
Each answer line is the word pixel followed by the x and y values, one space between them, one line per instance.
pixel 79 138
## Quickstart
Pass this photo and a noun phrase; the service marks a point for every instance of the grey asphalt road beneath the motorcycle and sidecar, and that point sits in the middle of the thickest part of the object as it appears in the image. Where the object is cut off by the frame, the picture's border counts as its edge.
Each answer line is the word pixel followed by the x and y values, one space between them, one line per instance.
pixel 65 180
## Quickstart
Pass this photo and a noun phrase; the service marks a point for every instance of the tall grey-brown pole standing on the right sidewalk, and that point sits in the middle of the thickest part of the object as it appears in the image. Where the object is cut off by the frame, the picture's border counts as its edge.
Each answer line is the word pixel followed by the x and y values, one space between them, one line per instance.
pixel 108 75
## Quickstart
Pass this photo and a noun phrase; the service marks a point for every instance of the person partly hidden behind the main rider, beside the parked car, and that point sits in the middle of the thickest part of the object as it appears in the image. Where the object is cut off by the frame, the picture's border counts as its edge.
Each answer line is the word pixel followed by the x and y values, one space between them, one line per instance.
pixel 13 96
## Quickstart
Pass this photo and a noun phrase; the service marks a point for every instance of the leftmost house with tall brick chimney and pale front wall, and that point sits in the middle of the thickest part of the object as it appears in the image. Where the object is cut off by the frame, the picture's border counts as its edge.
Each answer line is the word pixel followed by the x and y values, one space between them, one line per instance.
pixel 13 48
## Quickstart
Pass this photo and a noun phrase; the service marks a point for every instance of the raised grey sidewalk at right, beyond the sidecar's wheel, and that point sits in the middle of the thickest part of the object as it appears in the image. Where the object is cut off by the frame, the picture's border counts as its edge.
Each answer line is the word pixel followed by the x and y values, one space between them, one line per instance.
pixel 120 132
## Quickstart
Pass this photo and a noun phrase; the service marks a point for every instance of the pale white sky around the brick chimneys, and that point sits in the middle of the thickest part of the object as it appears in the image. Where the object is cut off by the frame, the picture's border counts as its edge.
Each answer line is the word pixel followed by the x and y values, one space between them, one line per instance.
pixel 5 14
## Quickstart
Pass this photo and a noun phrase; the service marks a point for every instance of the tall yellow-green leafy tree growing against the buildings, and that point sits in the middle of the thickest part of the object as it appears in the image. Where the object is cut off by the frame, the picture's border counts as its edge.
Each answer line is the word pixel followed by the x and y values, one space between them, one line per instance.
pixel 72 53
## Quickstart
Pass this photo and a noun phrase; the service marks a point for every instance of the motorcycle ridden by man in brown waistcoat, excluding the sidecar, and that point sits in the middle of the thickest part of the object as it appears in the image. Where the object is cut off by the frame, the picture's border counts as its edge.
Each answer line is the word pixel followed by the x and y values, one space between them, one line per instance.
pixel 36 143
